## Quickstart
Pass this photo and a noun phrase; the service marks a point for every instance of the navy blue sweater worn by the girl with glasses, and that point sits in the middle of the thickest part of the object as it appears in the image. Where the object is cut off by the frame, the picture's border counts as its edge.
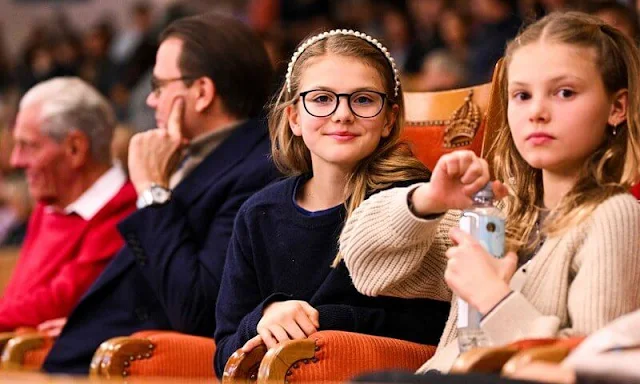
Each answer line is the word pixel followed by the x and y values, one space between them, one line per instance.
pixel 279 252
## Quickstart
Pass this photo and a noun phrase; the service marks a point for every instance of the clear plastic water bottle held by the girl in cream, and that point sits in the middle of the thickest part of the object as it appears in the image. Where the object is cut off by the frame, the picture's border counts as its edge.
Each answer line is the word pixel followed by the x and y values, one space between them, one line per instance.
pixel 484 222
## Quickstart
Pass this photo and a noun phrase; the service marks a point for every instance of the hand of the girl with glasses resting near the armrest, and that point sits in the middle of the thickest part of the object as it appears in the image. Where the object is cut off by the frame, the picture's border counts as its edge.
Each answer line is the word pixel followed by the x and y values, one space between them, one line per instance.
pixel 287 320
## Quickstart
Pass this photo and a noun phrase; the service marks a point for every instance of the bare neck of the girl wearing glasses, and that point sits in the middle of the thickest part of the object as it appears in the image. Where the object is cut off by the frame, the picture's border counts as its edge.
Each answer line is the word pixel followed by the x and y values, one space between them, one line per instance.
pixel 324 190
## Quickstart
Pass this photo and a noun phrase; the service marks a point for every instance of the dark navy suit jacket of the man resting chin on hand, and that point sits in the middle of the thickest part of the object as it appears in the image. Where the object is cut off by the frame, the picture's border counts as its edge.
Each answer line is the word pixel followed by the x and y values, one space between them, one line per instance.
pixel 168 273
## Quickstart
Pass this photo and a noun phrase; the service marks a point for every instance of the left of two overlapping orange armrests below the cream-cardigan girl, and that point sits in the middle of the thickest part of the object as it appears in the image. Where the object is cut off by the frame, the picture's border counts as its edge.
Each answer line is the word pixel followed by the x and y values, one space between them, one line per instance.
pixel 492 359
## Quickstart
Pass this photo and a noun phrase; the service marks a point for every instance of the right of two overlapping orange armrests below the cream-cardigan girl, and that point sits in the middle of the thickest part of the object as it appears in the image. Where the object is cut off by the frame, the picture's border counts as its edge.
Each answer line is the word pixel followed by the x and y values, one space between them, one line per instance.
pixel 553 353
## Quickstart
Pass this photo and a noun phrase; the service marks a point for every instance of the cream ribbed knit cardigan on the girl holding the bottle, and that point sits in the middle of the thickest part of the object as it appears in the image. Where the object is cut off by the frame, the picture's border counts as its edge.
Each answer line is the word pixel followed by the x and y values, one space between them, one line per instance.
pixel 576 284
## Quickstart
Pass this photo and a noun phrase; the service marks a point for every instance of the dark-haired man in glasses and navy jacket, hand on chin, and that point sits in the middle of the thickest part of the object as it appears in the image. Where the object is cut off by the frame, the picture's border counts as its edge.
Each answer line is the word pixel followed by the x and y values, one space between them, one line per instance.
pixel 208 155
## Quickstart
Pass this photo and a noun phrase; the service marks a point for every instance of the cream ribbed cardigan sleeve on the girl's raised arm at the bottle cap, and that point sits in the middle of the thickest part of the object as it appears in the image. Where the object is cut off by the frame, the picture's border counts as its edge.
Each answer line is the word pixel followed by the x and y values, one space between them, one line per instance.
pixel 389 251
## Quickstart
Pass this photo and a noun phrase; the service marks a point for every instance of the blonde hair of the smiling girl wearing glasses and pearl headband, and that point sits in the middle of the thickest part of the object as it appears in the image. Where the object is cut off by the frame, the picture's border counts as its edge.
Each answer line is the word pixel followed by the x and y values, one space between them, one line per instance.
pixel 392 161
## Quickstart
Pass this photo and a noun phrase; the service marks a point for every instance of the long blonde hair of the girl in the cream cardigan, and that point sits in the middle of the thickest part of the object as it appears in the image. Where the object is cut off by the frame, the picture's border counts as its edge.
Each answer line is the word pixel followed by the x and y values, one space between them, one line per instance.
pixel 610 170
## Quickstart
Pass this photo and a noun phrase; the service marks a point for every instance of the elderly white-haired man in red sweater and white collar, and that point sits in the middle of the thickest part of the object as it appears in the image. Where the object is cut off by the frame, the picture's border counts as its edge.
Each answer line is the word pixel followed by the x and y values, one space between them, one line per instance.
pixel 62 139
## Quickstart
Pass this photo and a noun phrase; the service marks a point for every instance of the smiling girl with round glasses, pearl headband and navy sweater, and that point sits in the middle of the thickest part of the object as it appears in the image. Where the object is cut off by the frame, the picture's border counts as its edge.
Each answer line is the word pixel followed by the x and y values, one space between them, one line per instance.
pixel 335 131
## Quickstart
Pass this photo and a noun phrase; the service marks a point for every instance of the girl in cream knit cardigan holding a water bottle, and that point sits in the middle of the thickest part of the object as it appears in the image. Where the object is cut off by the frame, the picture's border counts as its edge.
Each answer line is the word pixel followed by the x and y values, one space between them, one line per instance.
pixel 567 150
